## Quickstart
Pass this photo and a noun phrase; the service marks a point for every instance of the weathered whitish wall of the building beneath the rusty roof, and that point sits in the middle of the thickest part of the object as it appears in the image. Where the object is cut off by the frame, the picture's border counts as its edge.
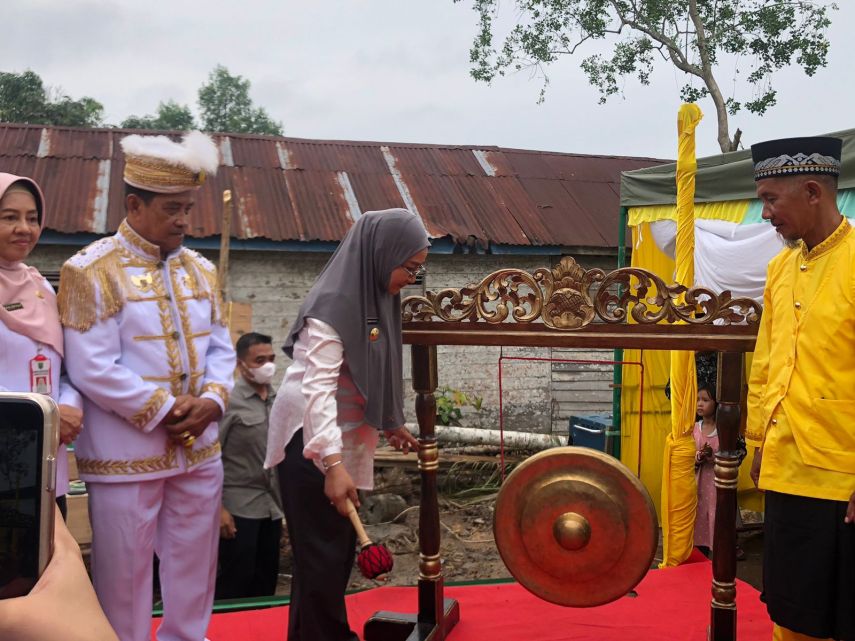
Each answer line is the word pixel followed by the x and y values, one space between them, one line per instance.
pixel 537 395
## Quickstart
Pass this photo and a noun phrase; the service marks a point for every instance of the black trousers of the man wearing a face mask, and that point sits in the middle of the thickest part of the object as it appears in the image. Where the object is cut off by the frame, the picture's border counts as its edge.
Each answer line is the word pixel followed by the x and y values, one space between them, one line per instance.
pixel 249 563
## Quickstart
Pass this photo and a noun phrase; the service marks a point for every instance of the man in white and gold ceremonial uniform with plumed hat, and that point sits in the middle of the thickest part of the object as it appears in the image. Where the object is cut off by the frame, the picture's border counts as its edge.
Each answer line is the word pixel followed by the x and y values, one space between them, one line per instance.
pixel 147 345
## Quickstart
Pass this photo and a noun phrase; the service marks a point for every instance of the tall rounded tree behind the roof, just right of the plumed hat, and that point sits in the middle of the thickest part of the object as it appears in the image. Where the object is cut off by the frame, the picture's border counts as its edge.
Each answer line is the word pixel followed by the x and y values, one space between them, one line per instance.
pixel 225 106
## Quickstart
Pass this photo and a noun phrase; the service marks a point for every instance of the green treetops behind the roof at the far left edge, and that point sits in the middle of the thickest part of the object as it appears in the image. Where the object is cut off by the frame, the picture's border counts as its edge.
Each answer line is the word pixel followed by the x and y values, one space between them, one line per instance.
pixel 24 98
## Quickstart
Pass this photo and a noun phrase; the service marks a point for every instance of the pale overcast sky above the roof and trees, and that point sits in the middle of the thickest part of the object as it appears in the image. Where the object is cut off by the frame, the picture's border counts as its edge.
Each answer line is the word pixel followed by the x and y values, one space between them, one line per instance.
pixel 384 70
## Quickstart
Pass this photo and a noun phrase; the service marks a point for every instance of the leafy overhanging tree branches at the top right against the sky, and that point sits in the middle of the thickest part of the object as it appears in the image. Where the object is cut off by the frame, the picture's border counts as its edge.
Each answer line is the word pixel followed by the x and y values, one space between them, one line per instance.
pixel 696 37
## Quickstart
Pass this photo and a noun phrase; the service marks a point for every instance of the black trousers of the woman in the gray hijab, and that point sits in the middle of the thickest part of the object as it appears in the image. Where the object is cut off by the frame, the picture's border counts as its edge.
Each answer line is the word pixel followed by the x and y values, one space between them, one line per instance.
pixel 324 546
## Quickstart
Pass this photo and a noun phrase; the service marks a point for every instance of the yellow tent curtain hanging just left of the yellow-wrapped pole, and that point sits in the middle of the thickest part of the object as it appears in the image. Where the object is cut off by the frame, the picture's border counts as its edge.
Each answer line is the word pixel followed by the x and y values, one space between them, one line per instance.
pixel 646 436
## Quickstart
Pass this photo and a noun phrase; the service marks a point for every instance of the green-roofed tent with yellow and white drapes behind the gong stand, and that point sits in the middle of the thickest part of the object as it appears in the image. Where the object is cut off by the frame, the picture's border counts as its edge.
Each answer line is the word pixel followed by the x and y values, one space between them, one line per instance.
pixel 733 246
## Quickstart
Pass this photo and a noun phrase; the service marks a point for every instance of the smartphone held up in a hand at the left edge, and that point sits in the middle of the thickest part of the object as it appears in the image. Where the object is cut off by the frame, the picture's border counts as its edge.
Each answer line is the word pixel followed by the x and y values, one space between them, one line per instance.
pixel 29 437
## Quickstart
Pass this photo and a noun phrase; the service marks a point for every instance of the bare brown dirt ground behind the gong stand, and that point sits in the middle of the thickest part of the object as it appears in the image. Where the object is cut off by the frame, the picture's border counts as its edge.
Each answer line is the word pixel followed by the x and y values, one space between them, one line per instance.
pixel 467 546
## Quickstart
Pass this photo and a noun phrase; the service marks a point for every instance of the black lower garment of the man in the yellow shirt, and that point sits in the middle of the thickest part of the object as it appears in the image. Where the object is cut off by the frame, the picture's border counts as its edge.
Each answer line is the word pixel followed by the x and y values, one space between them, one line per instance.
pixel 809 566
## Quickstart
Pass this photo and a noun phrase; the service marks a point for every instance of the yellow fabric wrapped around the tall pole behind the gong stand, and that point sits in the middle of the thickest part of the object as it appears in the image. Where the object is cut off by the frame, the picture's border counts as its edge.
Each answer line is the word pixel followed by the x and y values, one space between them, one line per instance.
pixel 679 490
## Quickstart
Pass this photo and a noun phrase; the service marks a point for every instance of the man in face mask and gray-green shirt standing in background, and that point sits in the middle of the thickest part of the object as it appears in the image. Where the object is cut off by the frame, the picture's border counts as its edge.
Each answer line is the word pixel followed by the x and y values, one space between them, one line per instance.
pixel 251 516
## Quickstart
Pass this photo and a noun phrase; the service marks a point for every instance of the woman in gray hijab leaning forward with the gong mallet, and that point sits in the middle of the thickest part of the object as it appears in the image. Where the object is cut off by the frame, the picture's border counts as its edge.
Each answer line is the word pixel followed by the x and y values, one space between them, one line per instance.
pixel 344 387
